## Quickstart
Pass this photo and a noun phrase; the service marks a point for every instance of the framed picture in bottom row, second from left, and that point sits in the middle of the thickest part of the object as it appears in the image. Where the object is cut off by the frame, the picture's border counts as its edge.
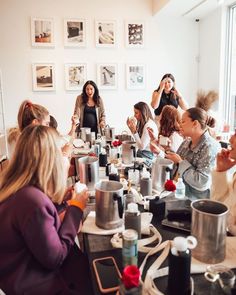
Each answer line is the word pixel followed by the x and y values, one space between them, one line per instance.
pixel 75 75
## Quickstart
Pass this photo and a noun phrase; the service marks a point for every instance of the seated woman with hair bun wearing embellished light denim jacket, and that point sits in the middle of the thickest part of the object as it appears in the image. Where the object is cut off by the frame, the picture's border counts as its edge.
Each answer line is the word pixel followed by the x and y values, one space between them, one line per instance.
pixel 196 155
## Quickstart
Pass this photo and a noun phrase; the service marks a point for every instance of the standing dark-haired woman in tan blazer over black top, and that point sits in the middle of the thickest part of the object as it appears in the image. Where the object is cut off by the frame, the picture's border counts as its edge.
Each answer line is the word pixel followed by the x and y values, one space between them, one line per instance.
pixel 90 109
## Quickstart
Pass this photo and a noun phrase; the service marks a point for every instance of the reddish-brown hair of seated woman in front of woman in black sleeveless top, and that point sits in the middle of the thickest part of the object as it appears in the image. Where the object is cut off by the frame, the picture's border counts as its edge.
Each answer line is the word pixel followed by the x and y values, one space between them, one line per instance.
pixel 170 121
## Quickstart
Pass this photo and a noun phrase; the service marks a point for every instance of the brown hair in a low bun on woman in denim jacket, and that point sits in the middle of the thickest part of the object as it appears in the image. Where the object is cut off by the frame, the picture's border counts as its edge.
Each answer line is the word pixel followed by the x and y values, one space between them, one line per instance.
pixel 201 116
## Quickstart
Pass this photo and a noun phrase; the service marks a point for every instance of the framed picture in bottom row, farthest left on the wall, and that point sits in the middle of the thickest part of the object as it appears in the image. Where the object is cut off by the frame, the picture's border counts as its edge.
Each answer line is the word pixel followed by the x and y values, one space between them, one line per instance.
pixel 43 77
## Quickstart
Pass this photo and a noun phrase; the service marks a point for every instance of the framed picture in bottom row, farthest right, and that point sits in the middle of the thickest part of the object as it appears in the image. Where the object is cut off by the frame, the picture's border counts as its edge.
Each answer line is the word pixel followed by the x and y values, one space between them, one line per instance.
pixel 135 75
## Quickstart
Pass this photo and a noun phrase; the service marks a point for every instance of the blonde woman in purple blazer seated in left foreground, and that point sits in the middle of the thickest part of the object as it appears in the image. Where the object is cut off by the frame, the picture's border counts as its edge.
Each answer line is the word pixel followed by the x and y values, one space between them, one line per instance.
pixel 38 254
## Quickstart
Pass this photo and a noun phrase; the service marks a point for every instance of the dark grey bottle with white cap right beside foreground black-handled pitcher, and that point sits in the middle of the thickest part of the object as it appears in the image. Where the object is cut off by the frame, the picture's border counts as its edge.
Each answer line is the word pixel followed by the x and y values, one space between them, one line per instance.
pixel 133 218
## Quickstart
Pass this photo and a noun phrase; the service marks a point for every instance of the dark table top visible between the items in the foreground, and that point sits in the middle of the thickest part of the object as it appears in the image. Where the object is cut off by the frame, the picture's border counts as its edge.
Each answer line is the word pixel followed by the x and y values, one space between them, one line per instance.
pixel 98 246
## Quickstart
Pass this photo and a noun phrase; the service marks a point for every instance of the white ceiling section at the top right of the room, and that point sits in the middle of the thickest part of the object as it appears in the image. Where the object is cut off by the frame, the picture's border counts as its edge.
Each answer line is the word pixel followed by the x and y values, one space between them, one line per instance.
pixel 189 8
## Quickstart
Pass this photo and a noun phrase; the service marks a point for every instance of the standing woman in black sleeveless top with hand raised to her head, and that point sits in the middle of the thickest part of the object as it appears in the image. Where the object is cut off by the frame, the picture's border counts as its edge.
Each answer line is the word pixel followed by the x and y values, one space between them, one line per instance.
pixel 167 94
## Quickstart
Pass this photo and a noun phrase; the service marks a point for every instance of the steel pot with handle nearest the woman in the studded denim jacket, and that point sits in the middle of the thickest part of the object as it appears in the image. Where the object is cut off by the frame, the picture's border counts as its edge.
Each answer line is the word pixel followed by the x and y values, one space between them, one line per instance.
pixel 161 169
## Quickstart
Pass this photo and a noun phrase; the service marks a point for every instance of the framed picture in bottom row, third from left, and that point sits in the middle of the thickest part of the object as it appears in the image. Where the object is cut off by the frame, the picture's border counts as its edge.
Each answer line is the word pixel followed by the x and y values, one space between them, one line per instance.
pixel 107 76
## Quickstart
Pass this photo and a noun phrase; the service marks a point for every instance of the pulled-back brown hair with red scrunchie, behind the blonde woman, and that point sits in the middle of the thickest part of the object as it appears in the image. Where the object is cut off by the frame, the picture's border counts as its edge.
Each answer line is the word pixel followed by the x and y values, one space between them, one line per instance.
pixel 29 111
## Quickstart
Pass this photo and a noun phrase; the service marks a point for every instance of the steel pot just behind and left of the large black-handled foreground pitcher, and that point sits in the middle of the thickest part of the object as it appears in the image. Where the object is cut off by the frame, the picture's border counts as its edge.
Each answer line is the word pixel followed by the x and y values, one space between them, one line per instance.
pixel 88 170
